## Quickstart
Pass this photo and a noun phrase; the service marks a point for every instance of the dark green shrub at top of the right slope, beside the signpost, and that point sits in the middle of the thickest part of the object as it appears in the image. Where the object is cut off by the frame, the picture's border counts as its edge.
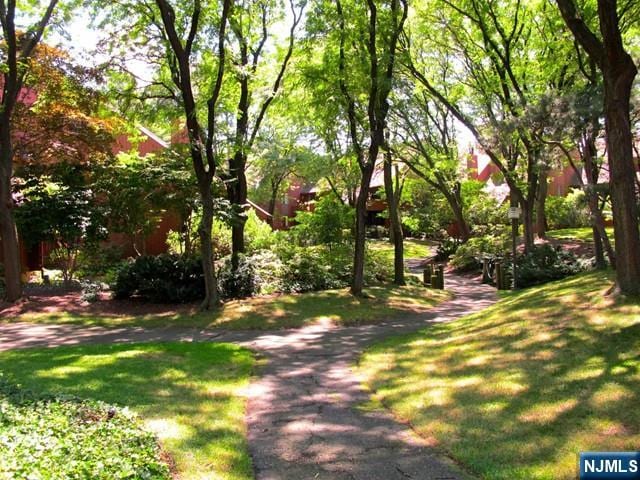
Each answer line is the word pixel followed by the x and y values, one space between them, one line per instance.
pixel 546 263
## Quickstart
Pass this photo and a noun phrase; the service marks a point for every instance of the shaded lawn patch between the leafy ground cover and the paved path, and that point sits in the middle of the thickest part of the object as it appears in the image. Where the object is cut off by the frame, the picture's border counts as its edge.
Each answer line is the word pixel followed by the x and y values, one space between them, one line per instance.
pixel 189 394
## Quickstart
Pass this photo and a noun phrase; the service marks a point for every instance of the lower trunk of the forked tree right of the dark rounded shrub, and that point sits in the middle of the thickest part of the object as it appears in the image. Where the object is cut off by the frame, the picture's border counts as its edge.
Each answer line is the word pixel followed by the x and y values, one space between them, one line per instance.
pixel 212 298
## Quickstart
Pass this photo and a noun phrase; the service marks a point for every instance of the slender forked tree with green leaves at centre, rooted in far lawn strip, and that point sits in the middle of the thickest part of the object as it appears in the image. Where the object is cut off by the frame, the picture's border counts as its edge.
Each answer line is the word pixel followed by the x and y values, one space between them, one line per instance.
pixel 366 64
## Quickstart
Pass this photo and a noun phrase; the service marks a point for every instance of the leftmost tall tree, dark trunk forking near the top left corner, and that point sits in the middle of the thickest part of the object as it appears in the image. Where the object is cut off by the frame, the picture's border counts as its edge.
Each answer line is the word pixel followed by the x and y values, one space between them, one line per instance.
pixel 17 50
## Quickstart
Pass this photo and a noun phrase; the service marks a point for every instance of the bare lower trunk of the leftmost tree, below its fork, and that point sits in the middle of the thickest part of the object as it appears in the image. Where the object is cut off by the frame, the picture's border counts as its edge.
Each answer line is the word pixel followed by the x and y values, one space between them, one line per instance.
pixel 8 231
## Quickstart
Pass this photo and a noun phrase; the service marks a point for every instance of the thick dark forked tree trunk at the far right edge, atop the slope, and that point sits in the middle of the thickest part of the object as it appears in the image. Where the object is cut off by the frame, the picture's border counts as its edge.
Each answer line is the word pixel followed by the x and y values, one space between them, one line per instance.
pixel 618 69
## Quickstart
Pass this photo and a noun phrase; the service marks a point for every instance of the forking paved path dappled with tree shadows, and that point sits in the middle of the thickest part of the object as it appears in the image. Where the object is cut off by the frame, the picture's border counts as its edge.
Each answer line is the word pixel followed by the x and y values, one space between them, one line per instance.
pixel 304 418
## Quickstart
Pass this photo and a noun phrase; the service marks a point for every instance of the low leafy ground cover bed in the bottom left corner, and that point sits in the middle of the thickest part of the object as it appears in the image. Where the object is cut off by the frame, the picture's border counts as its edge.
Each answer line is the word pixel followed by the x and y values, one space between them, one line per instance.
pixel 61 437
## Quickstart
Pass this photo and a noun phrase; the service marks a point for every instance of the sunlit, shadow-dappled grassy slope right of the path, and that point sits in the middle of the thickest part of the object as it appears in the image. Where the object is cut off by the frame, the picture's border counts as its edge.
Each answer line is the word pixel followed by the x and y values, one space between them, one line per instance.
pixel 517 391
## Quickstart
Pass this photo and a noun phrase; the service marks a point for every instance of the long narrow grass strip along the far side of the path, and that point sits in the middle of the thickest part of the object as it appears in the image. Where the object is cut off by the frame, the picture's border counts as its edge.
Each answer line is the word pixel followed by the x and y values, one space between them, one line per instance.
pixel 274 312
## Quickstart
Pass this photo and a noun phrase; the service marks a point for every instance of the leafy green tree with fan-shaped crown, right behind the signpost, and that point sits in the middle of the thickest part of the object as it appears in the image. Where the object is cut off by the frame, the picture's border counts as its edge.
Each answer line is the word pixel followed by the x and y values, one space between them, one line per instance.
pixel 494 52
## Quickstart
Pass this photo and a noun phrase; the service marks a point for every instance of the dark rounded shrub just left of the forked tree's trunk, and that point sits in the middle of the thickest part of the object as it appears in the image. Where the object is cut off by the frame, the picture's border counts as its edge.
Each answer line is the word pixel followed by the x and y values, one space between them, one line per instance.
pixel 163 279
